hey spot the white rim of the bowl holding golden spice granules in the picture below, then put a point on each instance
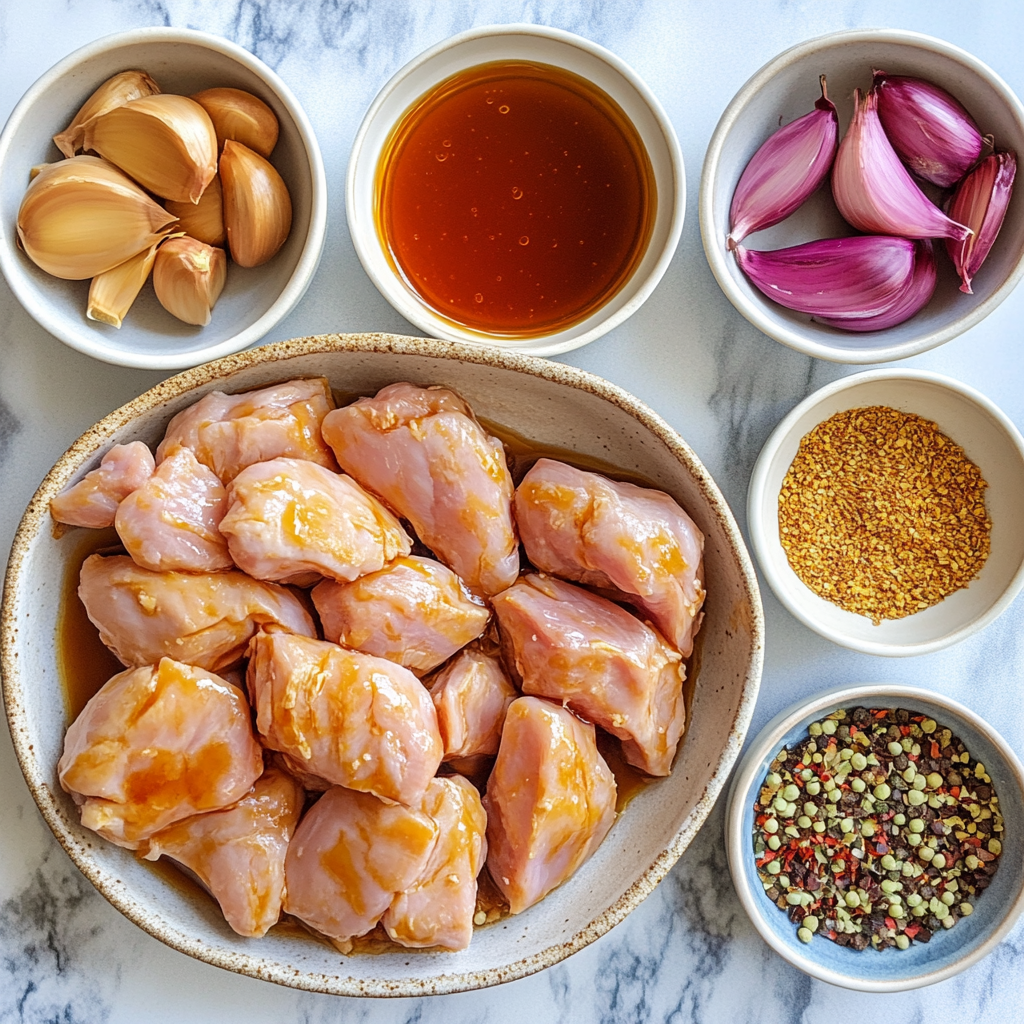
(758, 513)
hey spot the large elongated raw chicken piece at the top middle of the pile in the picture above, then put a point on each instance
(421, 450)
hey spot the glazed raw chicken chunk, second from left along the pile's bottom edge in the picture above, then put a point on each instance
(351, 857)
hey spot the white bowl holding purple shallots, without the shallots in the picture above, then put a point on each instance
(787, 89)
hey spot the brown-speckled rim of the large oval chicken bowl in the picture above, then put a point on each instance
(37, 520)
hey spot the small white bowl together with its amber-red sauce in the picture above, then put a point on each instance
(517, 186)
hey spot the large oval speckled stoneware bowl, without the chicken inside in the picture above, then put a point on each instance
(552, 406)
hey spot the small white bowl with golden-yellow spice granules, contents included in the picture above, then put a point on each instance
(884, 511)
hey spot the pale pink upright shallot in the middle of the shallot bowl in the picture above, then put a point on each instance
(875, 192)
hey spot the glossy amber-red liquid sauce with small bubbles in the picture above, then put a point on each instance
(516, 199)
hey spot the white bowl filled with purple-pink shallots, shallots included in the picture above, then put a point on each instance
(858, 197)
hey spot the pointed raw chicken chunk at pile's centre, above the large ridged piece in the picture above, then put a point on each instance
(414, 612)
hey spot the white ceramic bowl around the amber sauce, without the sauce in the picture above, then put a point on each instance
(519, 42)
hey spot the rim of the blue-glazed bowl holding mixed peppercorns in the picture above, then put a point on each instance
(738, 844)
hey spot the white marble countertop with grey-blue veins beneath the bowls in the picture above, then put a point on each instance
(689, 953)
